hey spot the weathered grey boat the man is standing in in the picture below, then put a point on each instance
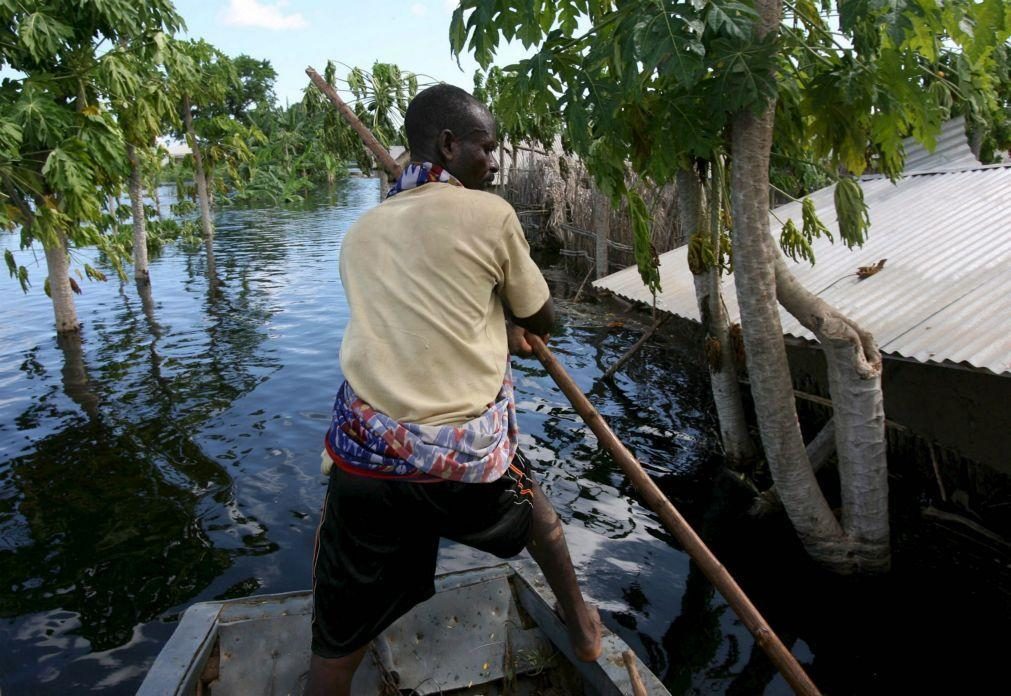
(490, 632)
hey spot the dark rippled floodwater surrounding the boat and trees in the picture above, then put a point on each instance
(170, 456)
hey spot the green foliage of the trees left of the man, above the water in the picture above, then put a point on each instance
(105, 78)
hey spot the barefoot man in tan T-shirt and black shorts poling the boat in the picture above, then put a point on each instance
(423, 441)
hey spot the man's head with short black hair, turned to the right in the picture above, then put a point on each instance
(453, 130)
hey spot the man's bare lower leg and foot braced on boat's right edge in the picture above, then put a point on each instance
(547, 546)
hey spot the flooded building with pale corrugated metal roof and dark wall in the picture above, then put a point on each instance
(940, 308)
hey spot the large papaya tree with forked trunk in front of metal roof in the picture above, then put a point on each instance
(658, 88)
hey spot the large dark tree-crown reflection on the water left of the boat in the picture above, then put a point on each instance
(107, 535)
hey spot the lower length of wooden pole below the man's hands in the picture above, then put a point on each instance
(677, 526)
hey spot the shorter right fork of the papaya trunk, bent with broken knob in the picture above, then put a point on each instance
(855, 373)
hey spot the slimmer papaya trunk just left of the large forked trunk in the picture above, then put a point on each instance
(738, 445)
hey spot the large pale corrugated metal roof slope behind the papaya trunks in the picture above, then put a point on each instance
(945, 294)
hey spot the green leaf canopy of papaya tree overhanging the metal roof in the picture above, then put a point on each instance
(652, 85)
